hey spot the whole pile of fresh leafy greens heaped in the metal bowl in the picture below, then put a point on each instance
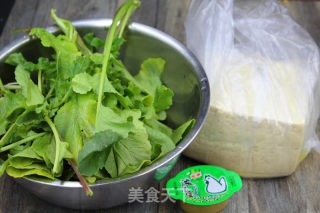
(85, 115)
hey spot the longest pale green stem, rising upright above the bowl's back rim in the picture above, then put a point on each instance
(108, 44)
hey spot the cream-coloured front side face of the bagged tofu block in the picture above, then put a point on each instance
(250, 148)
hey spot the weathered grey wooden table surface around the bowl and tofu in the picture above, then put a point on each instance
(299, 192)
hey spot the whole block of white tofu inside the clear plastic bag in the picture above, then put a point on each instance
(257, 120)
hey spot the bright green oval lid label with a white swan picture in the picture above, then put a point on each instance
(204, 185)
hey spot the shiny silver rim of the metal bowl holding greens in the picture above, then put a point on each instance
(172, 42)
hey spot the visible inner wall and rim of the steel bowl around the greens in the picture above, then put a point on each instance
(183, 73)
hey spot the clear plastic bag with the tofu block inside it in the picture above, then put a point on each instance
(263, 70)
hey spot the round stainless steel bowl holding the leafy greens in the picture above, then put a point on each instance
(183, 74)
